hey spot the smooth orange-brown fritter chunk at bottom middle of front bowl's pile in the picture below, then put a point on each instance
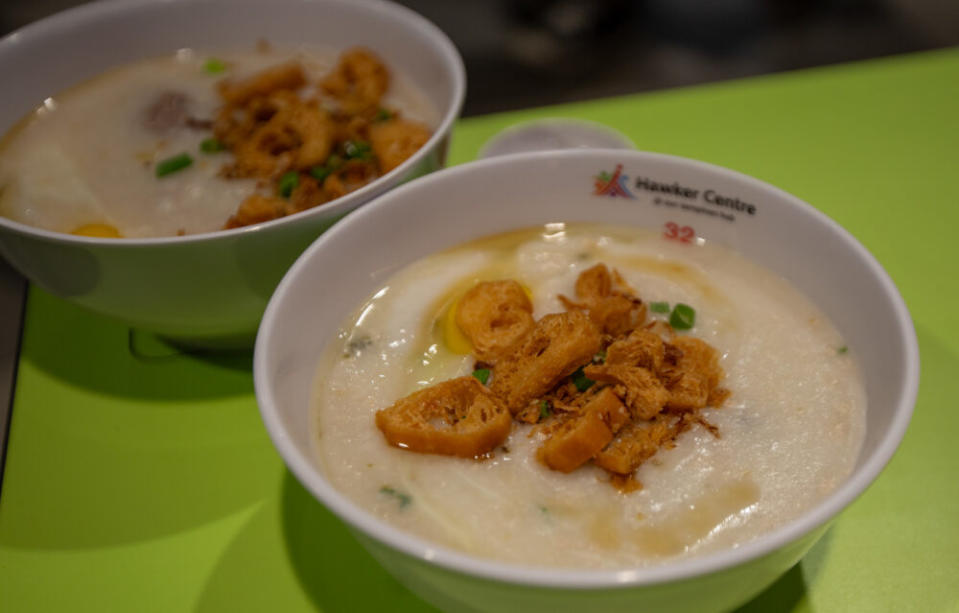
(582, 435)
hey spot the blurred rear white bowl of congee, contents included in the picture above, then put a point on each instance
(164, 163)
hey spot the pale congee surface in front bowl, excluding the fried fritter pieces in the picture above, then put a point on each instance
(787, 431)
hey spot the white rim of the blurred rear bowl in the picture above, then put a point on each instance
(85, 14)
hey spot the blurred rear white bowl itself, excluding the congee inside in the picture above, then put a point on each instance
(208, 288)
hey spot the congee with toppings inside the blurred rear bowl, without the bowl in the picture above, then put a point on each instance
(196, 142)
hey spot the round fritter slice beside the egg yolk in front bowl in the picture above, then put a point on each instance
(493, 315)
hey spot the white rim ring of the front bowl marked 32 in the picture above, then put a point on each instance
(582, 579)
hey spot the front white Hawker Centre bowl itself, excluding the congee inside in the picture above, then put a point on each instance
(786, 235)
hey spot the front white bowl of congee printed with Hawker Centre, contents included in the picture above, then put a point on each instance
(588, 380)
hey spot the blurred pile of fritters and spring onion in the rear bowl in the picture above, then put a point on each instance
(309, 143)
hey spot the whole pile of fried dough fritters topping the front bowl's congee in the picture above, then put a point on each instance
(601, 383)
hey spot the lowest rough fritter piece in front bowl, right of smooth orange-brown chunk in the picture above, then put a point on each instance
(638, 441)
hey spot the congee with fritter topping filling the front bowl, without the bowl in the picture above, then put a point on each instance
(587, 396)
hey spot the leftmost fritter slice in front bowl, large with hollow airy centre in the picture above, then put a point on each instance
(458, 417)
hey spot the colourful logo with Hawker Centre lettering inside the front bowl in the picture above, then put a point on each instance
(672, 194)
